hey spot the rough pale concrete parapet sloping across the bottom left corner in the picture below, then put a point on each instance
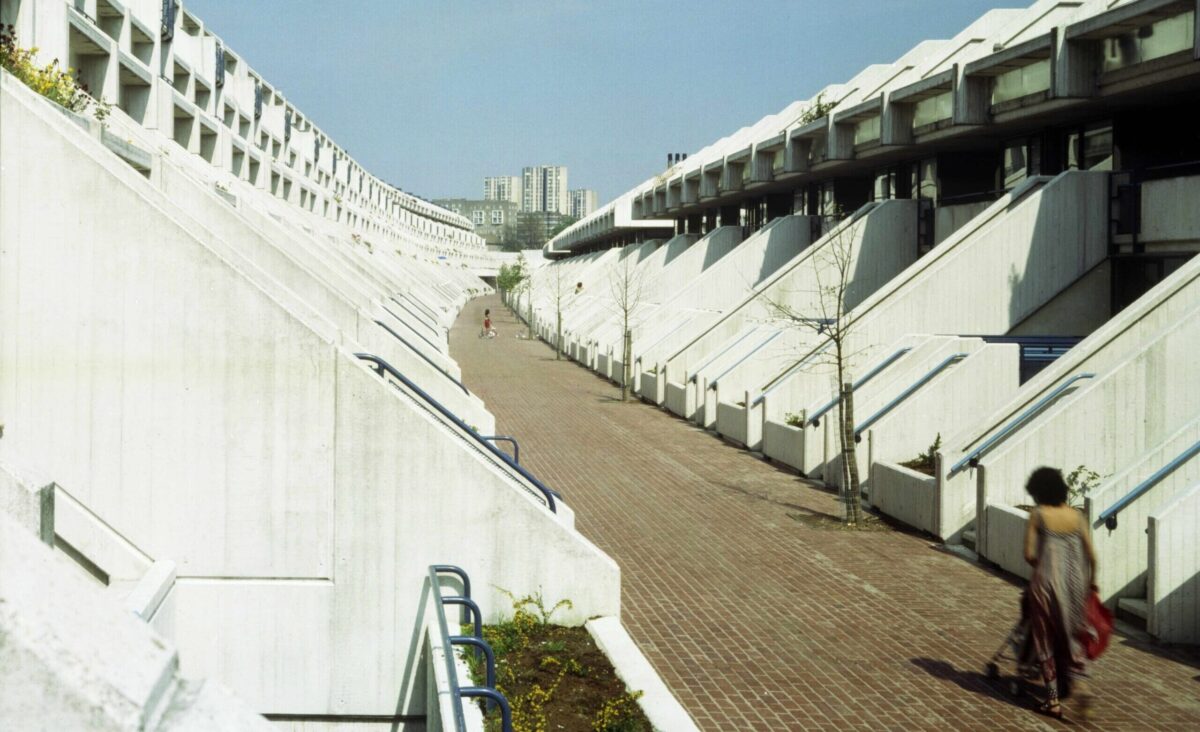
(74, 659)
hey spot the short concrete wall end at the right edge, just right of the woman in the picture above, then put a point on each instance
(1174, 597)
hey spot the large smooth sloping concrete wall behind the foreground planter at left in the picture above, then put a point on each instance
(195, 418)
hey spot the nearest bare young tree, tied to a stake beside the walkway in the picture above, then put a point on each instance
(827, 316)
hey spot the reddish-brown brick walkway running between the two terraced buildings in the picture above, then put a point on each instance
(758, 621)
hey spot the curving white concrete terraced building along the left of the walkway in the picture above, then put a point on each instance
(227, 406)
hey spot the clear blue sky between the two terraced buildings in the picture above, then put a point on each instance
(433, 95)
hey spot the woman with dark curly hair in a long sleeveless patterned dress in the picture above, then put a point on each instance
(1059, 545)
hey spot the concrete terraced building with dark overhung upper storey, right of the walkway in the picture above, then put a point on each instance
(1017, 209)
